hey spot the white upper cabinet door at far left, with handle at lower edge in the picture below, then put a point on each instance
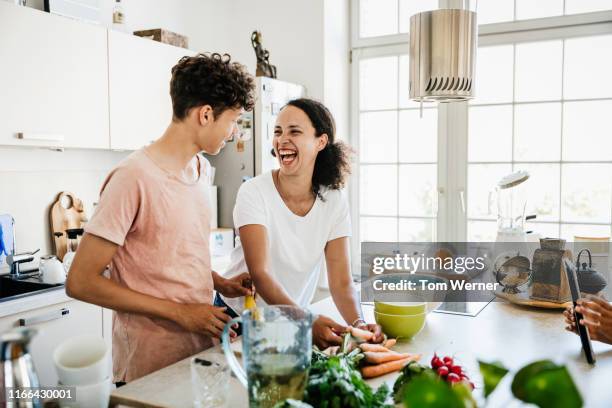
(53, 80)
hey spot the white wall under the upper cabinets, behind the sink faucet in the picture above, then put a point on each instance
(32, 179)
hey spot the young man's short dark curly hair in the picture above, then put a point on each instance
(210, 79)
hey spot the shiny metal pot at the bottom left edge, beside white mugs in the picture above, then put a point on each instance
(17, 365)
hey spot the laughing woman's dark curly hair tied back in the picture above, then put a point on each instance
(333, 163)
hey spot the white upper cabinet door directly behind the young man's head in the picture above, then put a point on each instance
(139, 75)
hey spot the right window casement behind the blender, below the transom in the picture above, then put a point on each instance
(543, 109)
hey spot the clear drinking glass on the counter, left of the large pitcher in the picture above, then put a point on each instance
(210, 376)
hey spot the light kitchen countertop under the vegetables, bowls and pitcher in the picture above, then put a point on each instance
(508, 333)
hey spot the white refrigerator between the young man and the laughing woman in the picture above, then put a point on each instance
(249, 154)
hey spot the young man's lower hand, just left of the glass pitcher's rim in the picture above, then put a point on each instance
(203, 318)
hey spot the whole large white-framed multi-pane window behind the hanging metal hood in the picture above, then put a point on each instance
(542, 105)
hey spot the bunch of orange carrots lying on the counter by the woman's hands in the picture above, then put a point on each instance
(378, 359)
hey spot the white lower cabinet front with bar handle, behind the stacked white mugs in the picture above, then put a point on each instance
(55, 324)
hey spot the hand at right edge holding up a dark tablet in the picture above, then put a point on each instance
(596, 317)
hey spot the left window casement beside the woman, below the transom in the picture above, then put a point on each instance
(397, 155)
